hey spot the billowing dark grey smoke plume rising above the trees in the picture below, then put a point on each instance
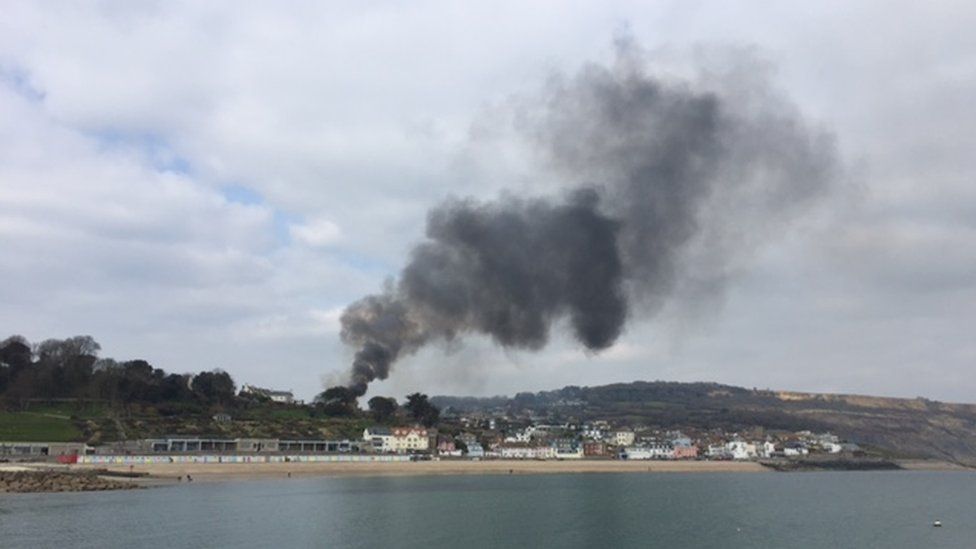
(660, 171)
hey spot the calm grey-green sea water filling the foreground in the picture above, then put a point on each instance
(872, 509)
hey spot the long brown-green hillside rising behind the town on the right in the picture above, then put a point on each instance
(917, 428)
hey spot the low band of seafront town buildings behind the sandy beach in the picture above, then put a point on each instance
(463, 438)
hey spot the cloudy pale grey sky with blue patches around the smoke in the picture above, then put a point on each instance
(209, 185)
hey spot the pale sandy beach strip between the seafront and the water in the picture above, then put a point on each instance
(238, 471)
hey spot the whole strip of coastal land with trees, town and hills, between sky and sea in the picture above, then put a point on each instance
(107, 411)
